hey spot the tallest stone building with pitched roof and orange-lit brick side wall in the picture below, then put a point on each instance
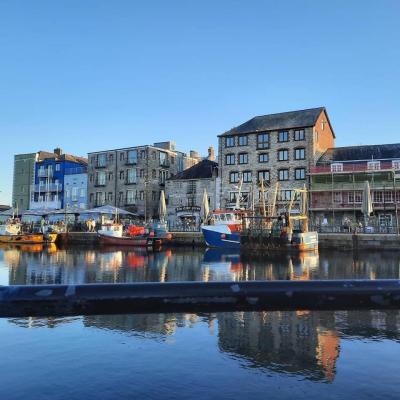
(275, 148)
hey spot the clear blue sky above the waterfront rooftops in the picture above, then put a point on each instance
(92, 75)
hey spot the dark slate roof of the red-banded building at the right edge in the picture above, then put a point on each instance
(360, 153)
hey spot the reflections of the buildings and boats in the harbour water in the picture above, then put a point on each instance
(301, 343)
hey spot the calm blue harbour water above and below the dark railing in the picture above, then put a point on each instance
(306, 355)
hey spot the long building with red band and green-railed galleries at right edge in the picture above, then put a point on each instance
(338, 182)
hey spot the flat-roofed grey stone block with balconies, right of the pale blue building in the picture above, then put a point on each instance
(133, 177)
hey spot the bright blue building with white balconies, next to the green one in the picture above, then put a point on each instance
(48, 191)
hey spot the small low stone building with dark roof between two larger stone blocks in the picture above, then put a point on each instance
(185, 191)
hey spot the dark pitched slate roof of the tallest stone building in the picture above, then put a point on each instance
(285, 120)
